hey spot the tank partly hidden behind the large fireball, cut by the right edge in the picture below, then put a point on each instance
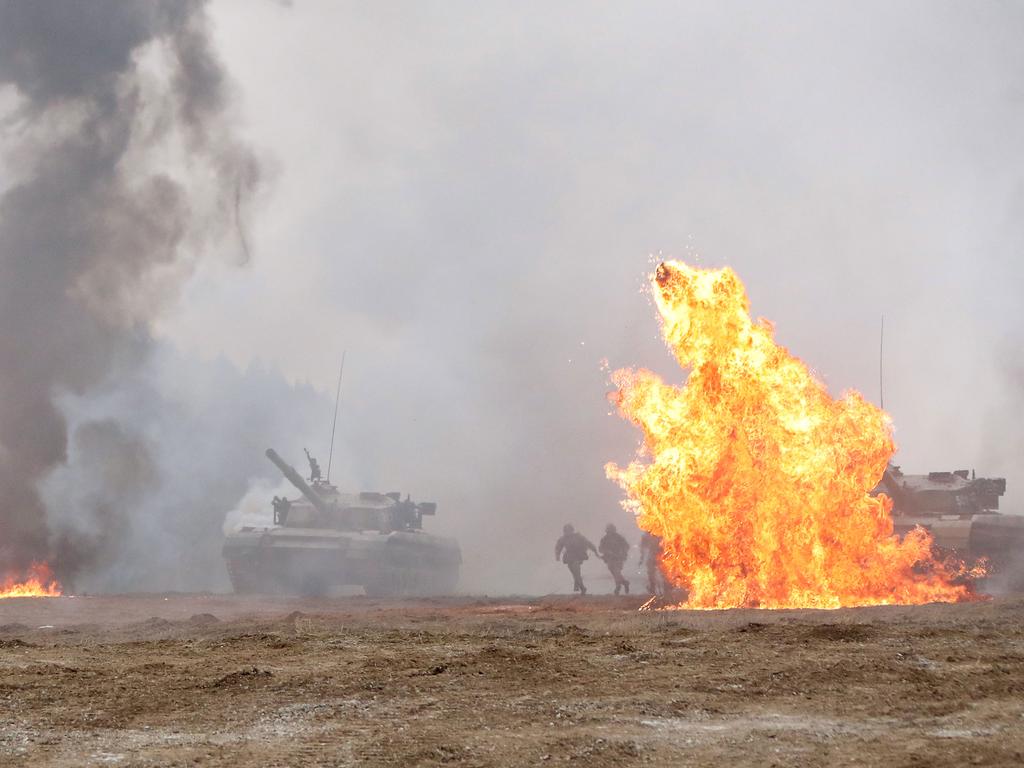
(962, 514)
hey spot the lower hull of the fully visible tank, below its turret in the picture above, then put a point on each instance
(316, 562)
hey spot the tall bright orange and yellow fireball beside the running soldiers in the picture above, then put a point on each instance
(758, 481)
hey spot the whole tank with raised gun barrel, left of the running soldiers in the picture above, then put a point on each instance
(325, 540)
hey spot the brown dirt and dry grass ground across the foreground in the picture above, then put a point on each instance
(227, 681)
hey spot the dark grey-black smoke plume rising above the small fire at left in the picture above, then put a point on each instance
(125, 174)
